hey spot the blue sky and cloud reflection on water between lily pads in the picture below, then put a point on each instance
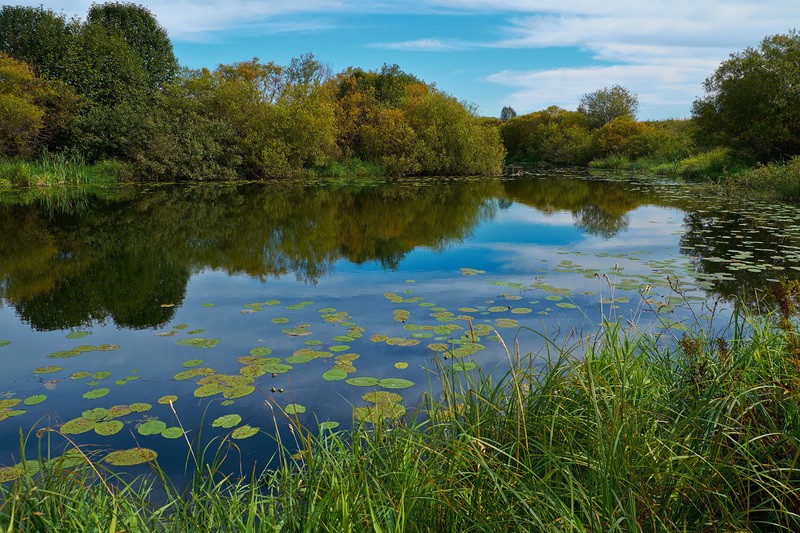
(520, 245)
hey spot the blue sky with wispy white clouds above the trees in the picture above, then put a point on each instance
(525, 53)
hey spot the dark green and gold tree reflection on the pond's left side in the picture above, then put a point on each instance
(122, 259)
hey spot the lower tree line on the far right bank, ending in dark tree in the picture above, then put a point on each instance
(749, 114)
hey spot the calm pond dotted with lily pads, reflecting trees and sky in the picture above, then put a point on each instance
(149, 315)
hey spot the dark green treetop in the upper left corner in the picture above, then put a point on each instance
(38, 36)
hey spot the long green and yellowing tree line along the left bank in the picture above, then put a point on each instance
(110, 88)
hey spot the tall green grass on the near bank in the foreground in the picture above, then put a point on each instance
(616, 433)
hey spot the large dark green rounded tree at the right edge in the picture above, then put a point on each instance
(752, 101)
